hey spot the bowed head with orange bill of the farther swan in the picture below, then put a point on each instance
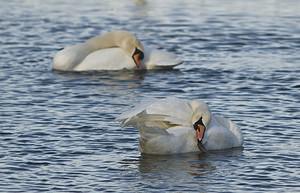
(135, 49)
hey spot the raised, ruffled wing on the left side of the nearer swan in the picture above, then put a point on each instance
(163, 114)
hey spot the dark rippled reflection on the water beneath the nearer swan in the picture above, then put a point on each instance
(193, 164)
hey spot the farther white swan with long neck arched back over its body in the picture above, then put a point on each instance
(115, 50)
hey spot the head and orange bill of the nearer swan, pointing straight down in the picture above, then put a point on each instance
(200, 120)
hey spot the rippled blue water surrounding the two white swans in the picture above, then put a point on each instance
(58, 132)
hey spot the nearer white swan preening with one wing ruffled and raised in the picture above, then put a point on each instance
(172, 125)
